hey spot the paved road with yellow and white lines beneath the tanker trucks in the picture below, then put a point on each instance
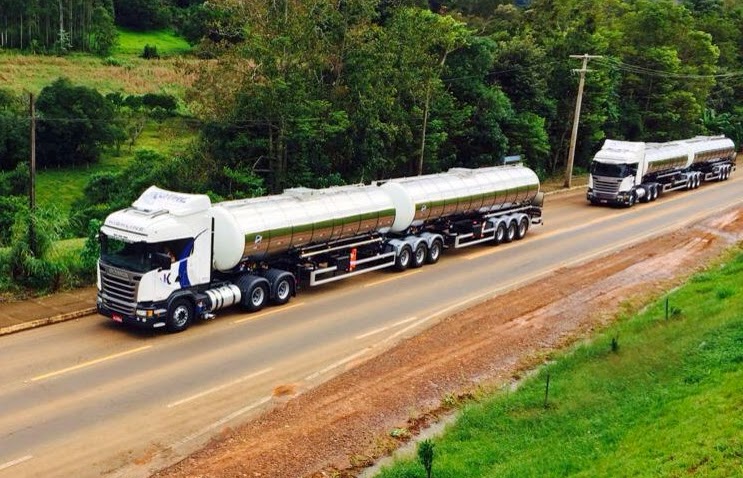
(88, 398)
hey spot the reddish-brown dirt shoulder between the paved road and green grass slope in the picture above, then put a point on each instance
(343, 425)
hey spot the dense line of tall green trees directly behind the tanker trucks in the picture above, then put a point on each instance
(311, 91)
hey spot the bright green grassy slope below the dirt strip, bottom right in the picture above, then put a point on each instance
(666, 401)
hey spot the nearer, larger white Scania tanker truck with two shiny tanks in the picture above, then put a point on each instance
(173, 257)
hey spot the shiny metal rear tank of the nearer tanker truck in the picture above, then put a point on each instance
(460, 191)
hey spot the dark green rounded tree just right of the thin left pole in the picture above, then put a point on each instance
(75, 123)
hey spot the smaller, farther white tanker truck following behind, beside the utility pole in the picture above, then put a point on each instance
(625, 172)
